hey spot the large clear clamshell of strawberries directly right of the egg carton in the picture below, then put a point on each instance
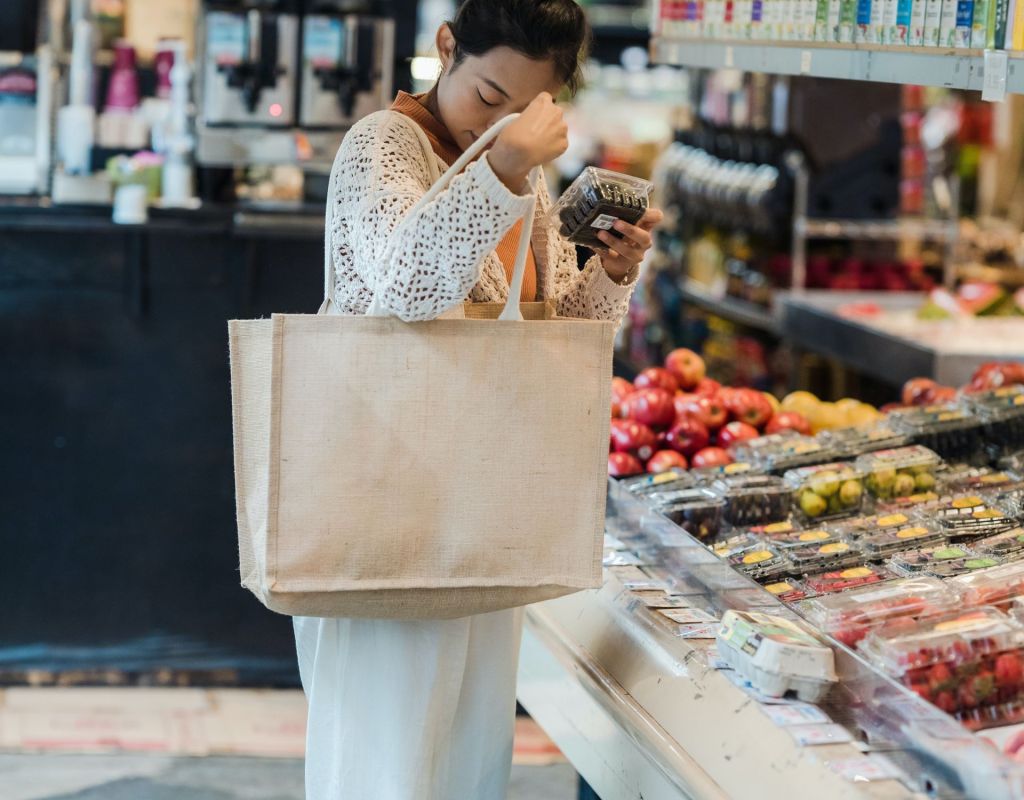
(970, 664)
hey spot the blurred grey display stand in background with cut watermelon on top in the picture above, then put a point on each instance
(833, 324)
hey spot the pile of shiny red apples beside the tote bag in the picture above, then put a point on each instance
(675, 416)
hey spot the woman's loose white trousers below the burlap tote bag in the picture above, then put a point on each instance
(409, 710)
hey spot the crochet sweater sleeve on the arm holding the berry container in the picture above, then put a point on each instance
(587, 293)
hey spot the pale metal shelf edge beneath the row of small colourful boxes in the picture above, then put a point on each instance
(921, 66)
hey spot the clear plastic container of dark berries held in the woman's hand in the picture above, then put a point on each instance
(595, 201)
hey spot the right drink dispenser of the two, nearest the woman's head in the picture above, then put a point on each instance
(347, 67)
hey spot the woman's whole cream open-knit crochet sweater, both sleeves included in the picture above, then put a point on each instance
(423, 265)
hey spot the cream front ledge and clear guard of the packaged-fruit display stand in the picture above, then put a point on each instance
(644, 711)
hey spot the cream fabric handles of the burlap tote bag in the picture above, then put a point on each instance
(511, 311)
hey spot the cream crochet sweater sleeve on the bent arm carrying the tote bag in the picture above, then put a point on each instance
(419, 264)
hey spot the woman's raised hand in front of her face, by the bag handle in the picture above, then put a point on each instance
(539, 136)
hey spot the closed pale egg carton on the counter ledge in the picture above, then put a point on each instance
(777, 656)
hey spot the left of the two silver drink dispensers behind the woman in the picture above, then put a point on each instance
(248, 71)
